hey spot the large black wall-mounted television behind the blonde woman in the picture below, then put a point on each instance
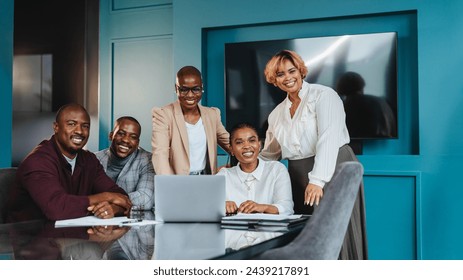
(362, 68)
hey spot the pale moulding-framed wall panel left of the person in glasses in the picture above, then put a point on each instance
(139, 81)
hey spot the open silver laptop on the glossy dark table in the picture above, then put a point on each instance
(189, 198)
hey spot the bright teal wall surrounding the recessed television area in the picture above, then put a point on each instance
(413, 193)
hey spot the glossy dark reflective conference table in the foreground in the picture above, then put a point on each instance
(168, 241)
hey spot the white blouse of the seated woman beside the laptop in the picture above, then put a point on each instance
(268, 184)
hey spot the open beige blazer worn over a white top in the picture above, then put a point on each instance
(170, 139)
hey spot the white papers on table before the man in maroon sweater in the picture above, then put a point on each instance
(94, 221)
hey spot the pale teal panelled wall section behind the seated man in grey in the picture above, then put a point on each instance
(135, 62)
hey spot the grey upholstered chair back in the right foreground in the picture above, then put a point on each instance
(323, 235)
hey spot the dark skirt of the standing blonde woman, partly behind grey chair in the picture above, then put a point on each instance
(355, 241)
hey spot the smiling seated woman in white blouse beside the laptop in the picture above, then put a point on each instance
(255, 186)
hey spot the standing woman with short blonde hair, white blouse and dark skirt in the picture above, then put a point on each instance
(309, 129)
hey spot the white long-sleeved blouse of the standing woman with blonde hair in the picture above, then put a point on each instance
(318, 128)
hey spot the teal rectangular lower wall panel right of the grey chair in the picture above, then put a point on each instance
(392, 220)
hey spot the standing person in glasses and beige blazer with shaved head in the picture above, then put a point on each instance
(186, 134)
